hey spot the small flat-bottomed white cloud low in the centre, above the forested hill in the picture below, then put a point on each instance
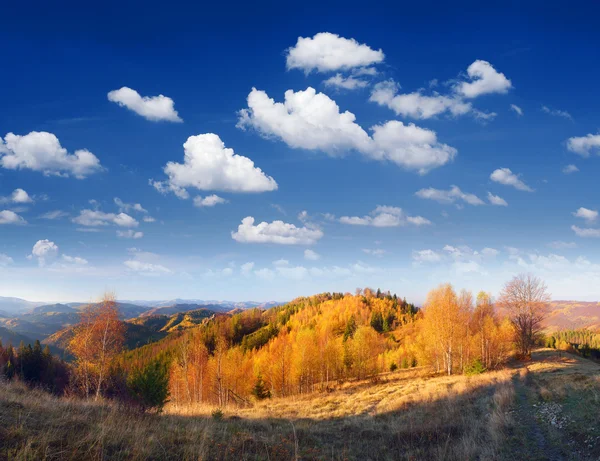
(275, 232)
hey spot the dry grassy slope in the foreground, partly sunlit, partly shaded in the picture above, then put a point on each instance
(530, 411)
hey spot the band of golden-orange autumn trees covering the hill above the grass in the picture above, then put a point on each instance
(308, 345)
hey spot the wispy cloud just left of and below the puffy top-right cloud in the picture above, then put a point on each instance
(416, 104)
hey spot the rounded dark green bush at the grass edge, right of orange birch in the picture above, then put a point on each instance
(149, 386)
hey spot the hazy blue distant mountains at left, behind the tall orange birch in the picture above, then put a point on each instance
(22, 320)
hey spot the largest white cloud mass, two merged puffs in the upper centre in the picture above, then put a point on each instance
(312, 121)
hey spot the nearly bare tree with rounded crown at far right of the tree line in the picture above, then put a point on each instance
(526, 299)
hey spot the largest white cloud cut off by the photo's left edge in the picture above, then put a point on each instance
(41, 151)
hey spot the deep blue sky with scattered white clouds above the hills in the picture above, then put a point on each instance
(342, 128)
